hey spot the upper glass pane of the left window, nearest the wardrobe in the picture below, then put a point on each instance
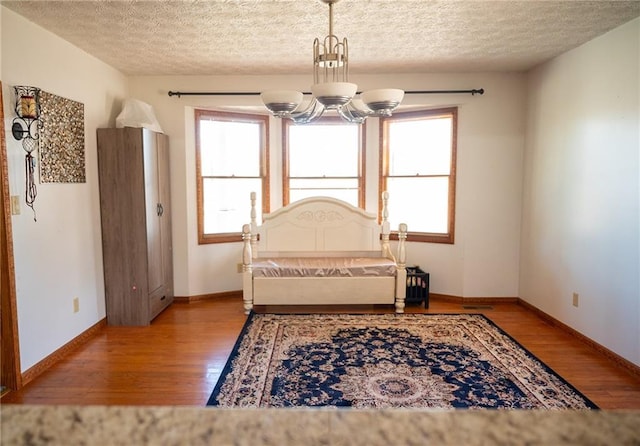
(230, 148)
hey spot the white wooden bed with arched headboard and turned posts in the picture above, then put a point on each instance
(322, 251)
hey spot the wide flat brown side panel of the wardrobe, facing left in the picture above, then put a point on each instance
(124, 247)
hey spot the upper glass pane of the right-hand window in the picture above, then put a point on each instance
(420, 147)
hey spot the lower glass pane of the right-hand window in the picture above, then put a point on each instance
(421, 203)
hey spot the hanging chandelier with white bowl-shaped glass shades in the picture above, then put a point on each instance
(331, 89)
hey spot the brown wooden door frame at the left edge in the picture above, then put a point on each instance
(11, 376)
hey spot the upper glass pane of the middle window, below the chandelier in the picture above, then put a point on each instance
(323, 150)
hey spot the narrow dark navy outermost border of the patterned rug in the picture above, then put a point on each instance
(211, 402)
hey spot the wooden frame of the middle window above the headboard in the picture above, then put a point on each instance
(331, 120)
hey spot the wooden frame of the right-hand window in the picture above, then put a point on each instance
(452, 112)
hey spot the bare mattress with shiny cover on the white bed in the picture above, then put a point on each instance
(324, 267)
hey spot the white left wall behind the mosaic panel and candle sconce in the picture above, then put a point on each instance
(59, 257)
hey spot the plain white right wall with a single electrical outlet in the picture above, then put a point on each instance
(581, 222)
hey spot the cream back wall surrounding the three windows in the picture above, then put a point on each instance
(484, 259)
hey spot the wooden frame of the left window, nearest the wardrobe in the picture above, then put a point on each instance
(263, 120)
